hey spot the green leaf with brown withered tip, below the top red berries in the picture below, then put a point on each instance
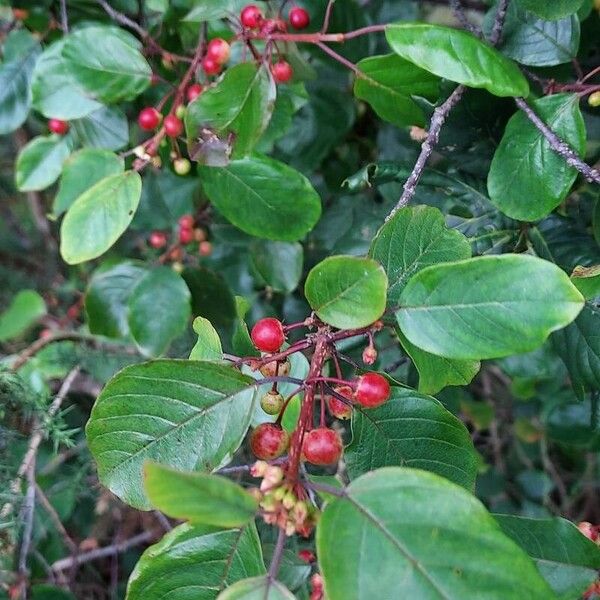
(241, 103)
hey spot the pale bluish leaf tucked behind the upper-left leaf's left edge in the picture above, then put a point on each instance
(55, 91)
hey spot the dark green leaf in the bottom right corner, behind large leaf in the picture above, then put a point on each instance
(565, 558)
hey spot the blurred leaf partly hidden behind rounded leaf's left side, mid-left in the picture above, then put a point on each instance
(107, 298)
